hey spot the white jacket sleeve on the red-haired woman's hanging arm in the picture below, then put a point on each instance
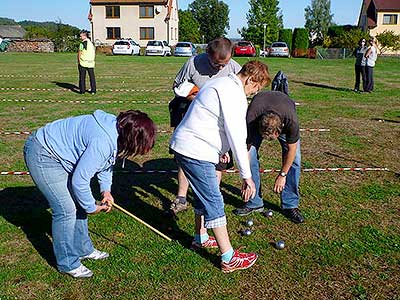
(234, 106)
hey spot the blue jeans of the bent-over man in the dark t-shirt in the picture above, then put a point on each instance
(290, 196)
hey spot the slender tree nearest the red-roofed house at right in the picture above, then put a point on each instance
(318, 20)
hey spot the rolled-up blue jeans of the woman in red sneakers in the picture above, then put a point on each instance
(203, 180)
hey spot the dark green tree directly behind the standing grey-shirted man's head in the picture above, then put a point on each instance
(213, 17)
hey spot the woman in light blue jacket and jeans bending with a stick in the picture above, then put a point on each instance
(62, 158)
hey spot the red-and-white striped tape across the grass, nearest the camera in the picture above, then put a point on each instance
(262, 171)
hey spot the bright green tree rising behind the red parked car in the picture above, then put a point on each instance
(262, 12)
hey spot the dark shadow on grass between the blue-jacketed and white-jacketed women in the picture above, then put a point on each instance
(130, 190)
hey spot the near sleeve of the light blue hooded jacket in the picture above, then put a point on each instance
(91, 161)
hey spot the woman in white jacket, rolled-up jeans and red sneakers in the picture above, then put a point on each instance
(215, 123)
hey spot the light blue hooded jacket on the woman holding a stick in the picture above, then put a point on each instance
(85, 146)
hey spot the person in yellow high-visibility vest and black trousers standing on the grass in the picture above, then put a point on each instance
(86, 57)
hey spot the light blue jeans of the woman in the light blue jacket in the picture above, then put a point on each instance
(69, 221)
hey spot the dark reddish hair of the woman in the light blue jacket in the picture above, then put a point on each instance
(136, 133)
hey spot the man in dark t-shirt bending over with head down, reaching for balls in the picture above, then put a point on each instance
(271, 116)
